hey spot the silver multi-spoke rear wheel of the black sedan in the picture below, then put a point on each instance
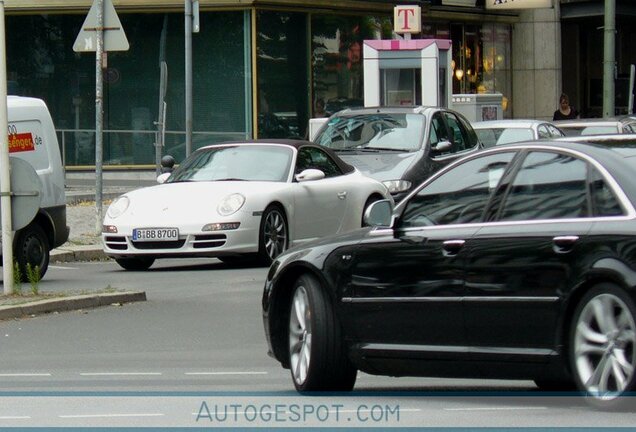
(602, 345)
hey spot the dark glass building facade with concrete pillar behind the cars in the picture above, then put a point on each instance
(261, 69)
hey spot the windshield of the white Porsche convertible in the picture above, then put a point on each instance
(236, 163)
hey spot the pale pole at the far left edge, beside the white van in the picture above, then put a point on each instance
(5, 176)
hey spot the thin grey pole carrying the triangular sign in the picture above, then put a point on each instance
(99, 114)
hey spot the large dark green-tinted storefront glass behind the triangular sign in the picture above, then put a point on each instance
(41, 63)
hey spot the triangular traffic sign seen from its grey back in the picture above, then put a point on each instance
(114, 36)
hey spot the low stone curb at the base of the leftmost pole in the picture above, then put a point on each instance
(70, 303)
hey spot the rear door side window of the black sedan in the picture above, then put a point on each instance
(548, 186)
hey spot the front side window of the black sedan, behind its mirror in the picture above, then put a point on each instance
(458, 196)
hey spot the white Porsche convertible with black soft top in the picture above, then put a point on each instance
(239, 200)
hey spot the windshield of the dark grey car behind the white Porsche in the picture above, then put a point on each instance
(382, 131)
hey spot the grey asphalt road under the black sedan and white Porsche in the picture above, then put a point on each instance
(195, 349)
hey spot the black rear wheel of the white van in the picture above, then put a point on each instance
(32, 247)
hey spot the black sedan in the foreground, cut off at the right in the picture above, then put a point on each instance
(518, 262)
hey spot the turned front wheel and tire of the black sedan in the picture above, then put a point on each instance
(317, 355)
